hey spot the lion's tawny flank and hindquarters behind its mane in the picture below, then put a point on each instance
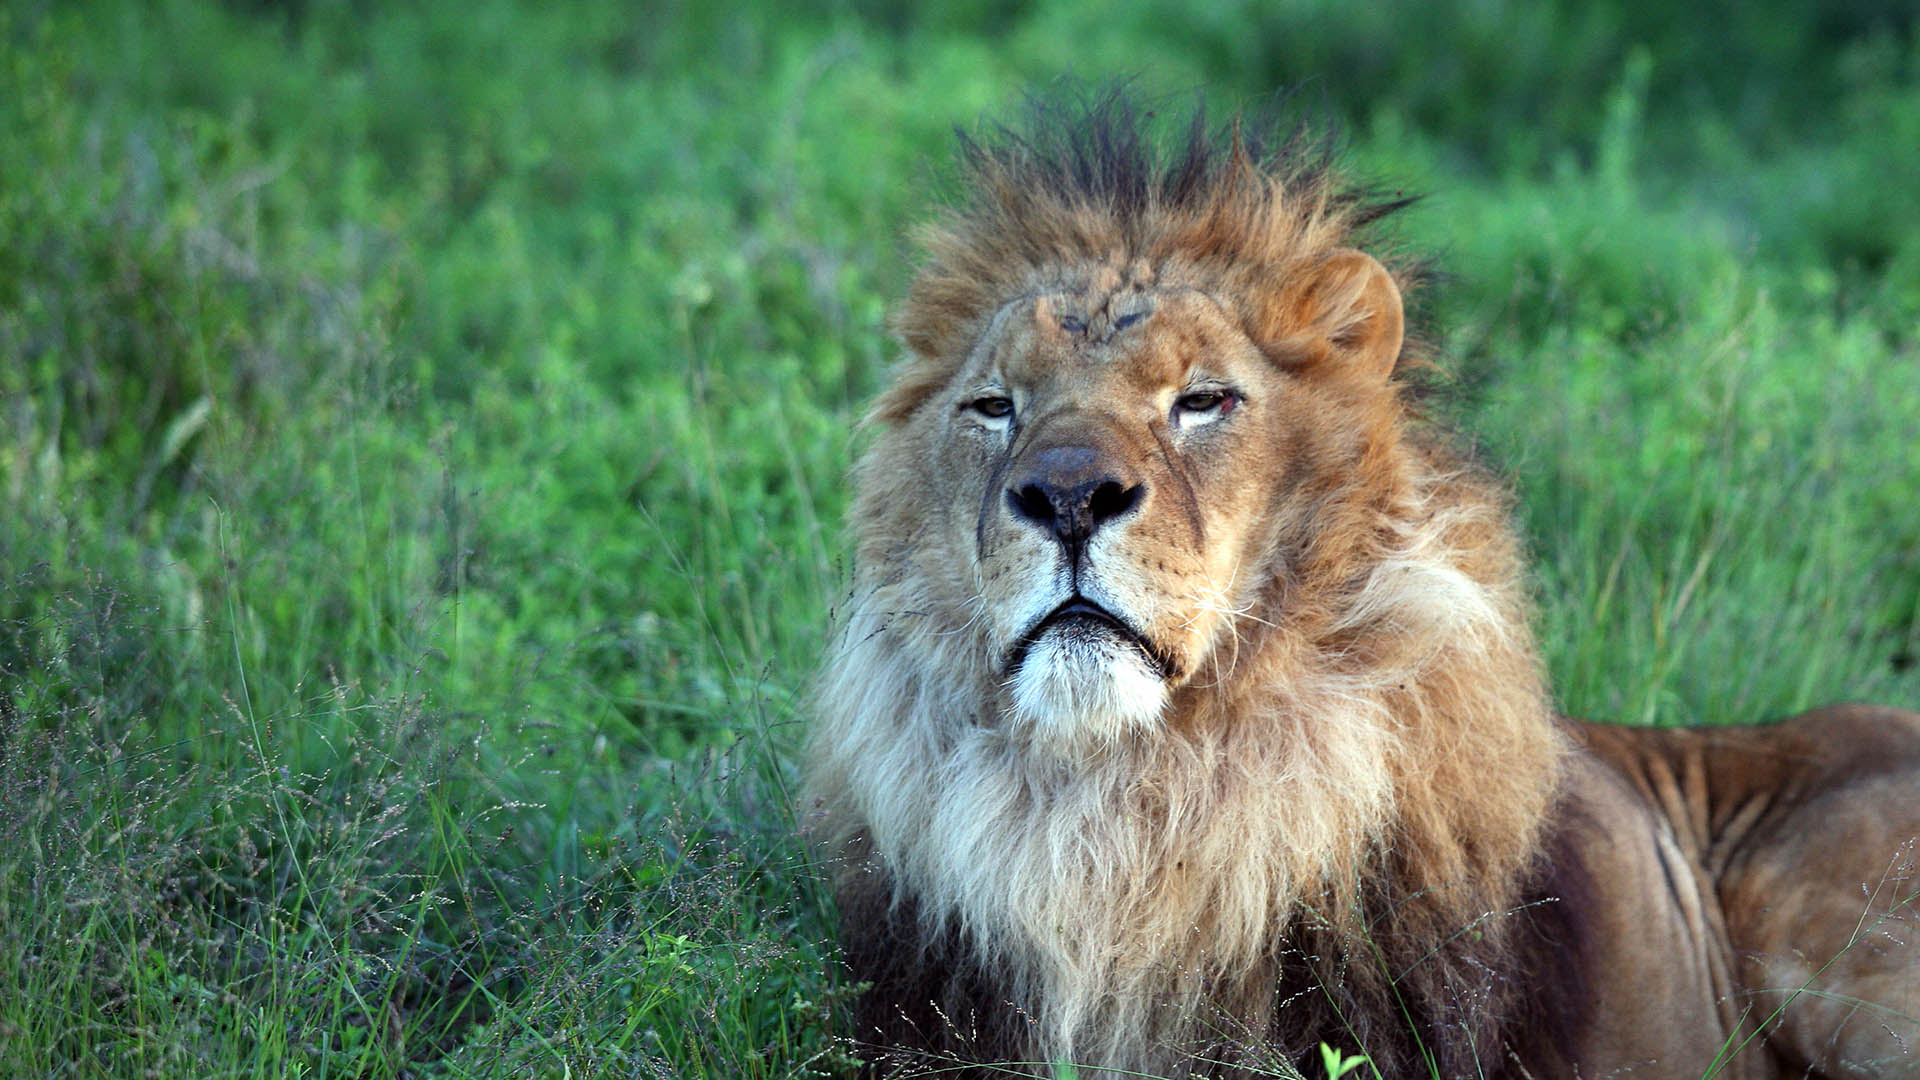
(1752, 877)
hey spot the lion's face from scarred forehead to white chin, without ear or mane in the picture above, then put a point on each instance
(1118, 458)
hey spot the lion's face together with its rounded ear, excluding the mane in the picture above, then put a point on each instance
(1109, 453)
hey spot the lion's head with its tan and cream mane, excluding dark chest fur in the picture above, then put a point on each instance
(1170, 631)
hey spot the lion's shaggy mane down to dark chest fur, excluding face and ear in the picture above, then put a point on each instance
(1328, 835)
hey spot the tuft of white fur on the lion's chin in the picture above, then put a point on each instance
(1080, 689)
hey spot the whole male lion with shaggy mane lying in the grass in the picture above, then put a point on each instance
(1188, 716)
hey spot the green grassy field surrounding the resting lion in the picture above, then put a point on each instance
(423, 439)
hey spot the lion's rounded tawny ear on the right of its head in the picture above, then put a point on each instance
(1347, 312)
